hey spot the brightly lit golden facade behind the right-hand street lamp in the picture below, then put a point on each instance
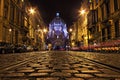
(80, 32)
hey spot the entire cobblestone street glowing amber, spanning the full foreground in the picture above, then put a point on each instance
(59, 65)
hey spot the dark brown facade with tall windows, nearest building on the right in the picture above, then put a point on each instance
(104, 21)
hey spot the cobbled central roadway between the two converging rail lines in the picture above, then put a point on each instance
(67, 67)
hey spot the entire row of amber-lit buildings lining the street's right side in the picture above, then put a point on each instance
(99, 27)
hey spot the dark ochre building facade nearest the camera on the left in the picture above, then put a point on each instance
(14, 22)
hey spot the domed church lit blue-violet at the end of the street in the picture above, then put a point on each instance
(58, 34)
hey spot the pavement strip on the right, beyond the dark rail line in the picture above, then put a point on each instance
(112, 59)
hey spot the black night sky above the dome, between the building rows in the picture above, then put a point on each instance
(68, 9)
